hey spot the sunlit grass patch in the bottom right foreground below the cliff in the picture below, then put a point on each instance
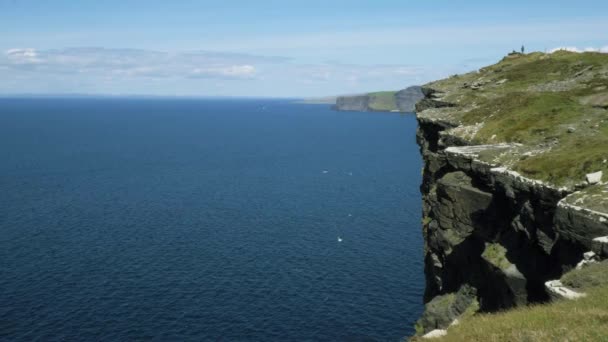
(585, 319)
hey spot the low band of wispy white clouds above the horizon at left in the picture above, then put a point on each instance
(136, 63)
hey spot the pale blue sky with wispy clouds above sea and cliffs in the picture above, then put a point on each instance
(273, 48)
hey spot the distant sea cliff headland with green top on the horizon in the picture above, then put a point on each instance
(386, 101)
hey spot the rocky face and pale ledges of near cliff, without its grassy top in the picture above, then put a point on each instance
(493, 237)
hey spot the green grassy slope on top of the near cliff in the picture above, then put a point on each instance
(554, 105)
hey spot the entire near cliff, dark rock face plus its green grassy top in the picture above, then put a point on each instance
(513, 196)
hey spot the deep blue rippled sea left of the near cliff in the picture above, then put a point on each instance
(207, 220)
